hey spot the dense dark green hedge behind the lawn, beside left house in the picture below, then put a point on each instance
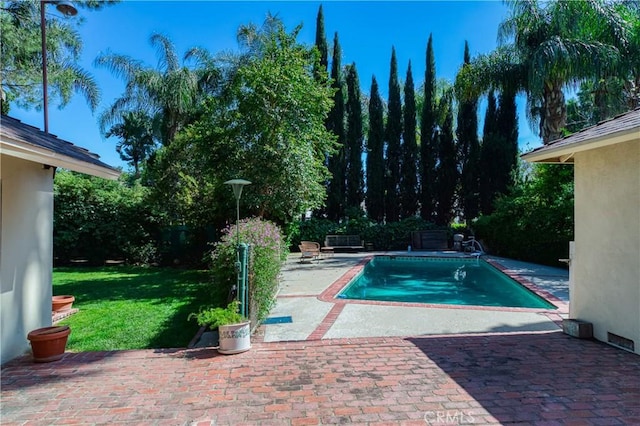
(99, 219)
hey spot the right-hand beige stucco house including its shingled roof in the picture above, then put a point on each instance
(605, 257)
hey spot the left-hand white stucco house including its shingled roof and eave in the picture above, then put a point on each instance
(28, 160)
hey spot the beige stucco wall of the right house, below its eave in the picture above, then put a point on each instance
(606, 266)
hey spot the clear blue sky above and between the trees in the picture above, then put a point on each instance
(367, 31)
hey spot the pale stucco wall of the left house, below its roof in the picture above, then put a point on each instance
(26, 197)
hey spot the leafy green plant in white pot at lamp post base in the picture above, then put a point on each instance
(234, 330)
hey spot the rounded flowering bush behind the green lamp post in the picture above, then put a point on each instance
(265, 261)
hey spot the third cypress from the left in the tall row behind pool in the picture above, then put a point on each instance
(354, 142)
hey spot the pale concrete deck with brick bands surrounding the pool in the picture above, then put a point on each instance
(307, 290)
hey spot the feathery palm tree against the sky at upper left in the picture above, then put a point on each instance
(169, 94)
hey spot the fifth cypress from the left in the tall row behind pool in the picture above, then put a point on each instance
(393, 135)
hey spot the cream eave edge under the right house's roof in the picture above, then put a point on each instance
(565, 154)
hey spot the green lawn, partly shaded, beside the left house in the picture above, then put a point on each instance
(124, 307)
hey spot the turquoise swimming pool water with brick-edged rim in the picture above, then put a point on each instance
(448, 281)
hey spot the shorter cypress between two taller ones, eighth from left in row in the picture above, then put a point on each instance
(447, 167)
